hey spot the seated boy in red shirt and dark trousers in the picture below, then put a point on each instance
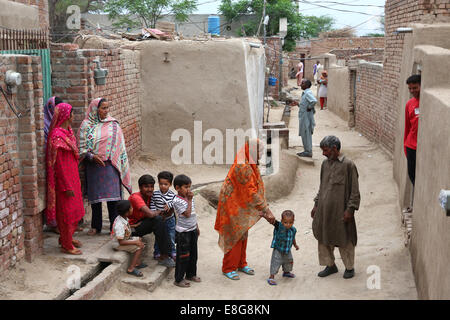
(145, 220)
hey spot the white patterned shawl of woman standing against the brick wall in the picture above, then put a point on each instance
(105, 139)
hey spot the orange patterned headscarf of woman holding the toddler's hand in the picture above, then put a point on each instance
(241, 197)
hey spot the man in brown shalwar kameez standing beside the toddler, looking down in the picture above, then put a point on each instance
(333, 213)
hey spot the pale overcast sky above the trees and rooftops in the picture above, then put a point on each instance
(365, 13)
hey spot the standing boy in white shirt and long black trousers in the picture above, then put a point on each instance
(187, 232)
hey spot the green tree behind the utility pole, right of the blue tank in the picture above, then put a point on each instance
(299, 26)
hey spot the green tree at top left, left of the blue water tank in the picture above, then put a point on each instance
(137, 13)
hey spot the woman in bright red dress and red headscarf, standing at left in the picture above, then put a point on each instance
(64, 197)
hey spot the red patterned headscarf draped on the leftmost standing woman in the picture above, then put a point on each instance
(58, 138)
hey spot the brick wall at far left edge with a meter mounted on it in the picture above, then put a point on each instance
(20, 221)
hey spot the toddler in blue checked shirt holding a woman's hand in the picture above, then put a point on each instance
(283, 239)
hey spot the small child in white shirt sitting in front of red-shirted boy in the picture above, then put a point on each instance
(122, 231)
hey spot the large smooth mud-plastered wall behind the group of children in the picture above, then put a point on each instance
(220, 83)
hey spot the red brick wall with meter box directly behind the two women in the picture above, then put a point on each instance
(73, 81)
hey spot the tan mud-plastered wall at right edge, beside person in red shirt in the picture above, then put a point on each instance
(430, 238)
